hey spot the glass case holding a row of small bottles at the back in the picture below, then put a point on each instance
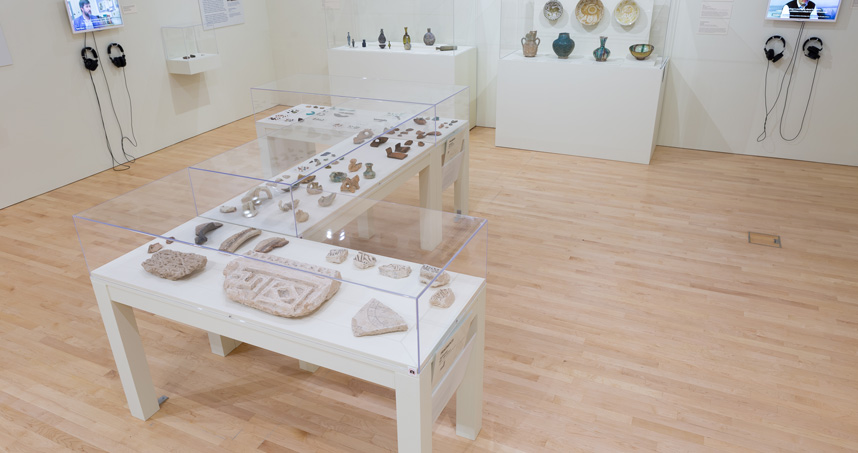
(432, 26)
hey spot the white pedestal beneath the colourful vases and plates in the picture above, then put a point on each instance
(580, 107)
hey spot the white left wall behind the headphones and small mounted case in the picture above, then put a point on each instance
(50, 131)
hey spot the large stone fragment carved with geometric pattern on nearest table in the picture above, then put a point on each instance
(292, 292)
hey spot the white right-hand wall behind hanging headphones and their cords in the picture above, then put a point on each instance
(714, 98)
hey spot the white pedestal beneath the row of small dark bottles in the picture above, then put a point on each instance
(420, 64)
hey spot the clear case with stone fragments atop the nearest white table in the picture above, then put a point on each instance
(368, 286)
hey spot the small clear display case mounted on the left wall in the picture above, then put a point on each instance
(190, 49)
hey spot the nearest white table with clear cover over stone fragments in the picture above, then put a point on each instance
(375, 304)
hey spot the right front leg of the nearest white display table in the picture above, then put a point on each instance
(414, 412)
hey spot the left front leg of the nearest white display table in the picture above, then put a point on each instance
(121, 327)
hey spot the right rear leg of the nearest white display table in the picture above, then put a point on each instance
(469, 396)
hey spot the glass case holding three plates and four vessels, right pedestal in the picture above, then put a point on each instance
(636, 31)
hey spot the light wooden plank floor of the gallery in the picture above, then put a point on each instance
(627, 312)
